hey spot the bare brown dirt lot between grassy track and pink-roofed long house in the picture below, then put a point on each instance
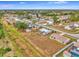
(48, 46)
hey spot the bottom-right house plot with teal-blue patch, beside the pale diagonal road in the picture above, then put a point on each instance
(73, 50)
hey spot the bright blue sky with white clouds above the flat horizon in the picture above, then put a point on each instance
(39, 5)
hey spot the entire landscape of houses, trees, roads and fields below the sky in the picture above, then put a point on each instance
(38, 33)
